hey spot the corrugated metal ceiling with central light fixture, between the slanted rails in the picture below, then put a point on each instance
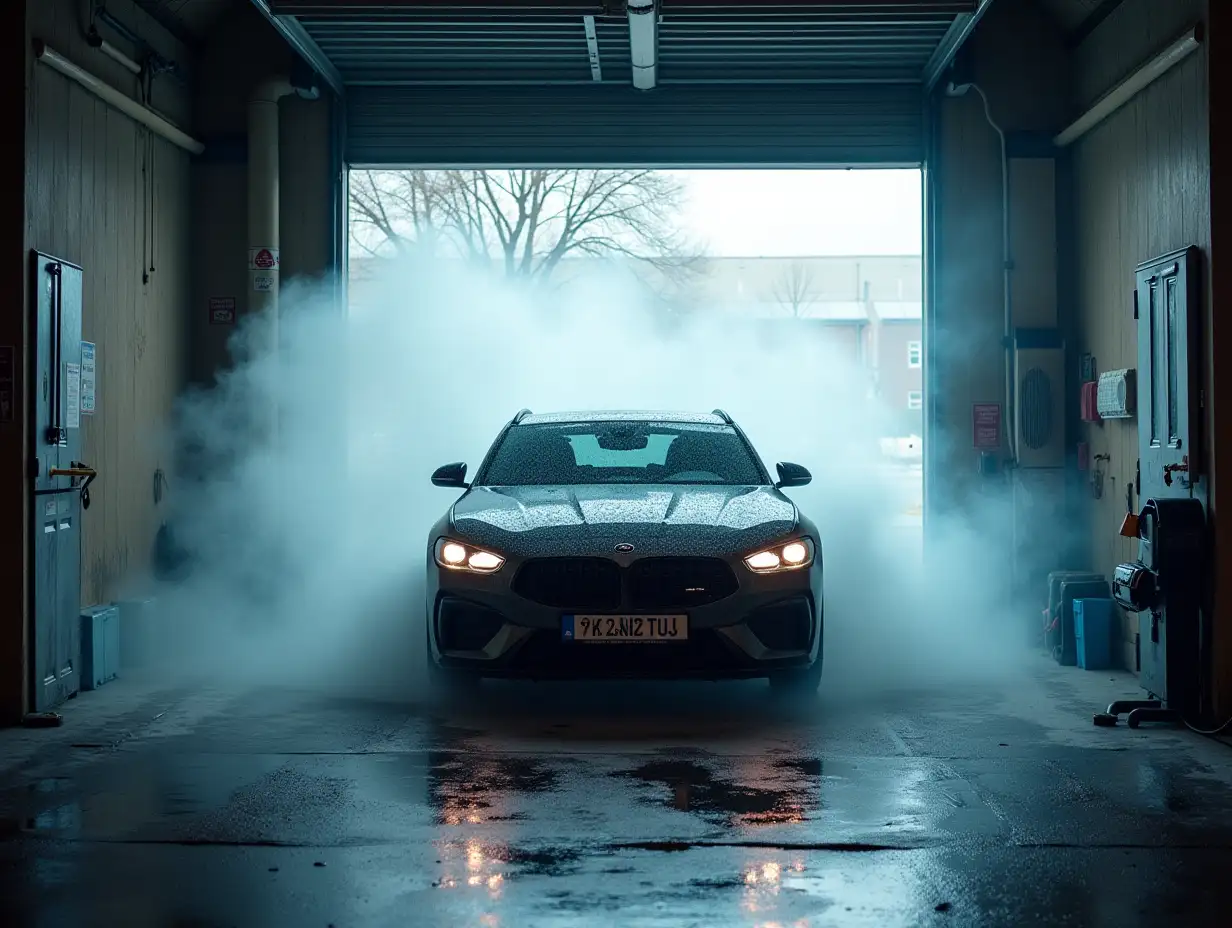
(449, 44)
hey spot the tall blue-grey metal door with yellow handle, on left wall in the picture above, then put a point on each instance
(61, 482)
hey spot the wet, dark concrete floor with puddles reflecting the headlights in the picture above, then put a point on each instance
(613, 807)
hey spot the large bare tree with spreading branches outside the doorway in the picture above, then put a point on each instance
(524, 222)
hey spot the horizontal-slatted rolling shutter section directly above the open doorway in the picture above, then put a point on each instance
(617, 126)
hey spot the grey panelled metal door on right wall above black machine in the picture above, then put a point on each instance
(1169, 340)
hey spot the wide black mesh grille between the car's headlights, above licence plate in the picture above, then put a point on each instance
(652, 584)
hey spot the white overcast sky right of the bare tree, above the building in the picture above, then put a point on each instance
(829, 213)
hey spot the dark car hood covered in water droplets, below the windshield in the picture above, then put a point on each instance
(529, 522)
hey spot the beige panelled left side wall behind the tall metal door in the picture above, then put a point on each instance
(107, 194)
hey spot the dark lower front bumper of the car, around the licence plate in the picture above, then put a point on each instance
(477, 625)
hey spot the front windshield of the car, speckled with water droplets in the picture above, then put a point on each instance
(623, 453)
